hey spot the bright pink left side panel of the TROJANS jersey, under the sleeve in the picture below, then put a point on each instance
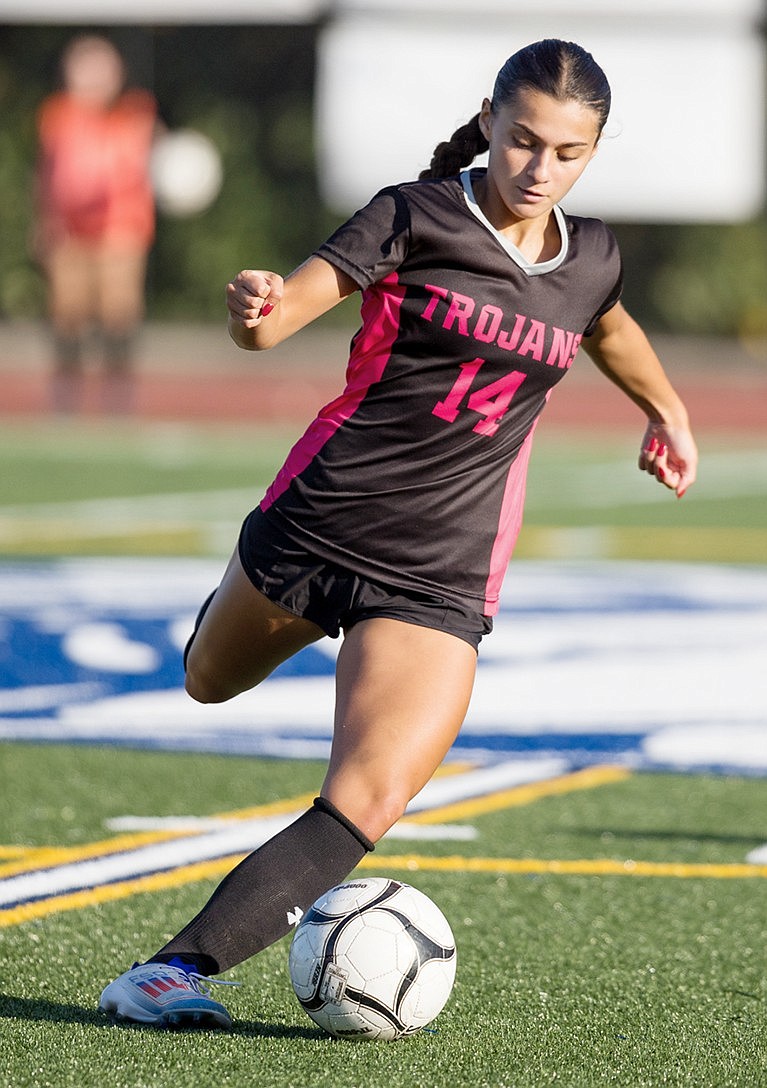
(372, 352)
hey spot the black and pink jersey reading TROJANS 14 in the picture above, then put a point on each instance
(415, 476)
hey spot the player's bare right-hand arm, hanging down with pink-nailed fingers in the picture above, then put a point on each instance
(623, 352)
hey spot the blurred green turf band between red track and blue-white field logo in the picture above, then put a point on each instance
(89, 488)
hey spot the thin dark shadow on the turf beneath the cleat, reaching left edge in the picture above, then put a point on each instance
(54, 1012)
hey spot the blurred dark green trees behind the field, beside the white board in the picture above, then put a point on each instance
(250, 89)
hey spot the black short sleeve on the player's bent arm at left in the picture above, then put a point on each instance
(374, 242)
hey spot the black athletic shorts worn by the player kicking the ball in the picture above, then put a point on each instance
(337, 599)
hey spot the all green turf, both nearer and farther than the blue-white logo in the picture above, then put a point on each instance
(609, 935)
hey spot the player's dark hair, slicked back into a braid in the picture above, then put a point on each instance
(563, 70)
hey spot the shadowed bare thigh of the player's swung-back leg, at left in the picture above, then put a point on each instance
(242, 638)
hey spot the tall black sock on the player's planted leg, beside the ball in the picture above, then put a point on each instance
(257, 904)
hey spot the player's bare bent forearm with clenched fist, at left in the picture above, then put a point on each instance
(265, 310)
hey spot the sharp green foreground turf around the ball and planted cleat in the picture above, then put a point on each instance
(565, 976)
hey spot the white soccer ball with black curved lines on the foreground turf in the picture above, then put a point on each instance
(373, 959)
